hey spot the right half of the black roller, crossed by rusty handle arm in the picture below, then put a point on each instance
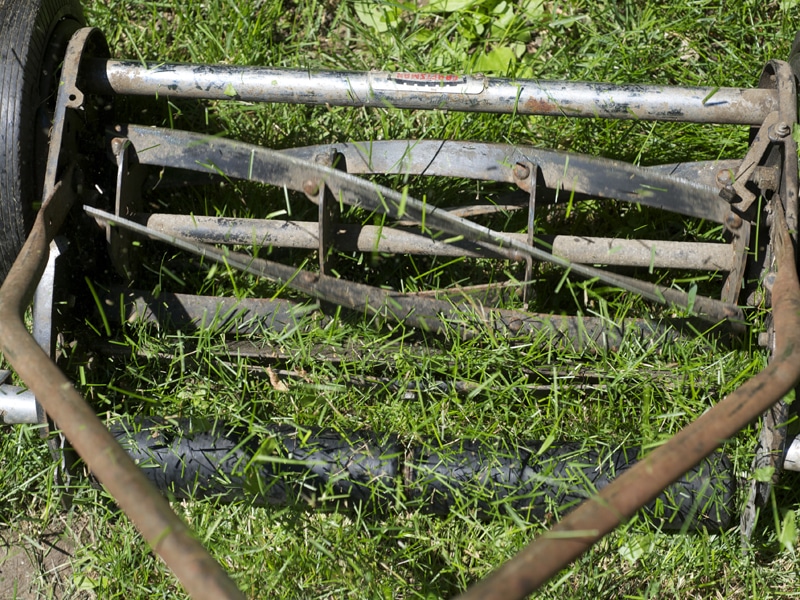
(543, 485)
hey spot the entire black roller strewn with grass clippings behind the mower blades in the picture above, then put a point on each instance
(320, 466)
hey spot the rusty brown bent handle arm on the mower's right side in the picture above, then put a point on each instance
(599, 515)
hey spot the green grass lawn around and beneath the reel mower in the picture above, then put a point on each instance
(521, 389)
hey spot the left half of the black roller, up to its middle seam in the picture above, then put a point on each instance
(194, 460)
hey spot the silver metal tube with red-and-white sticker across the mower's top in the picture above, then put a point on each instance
(471, 93)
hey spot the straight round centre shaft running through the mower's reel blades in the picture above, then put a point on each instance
(371, 238)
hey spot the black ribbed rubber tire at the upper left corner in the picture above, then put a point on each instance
(33, 38)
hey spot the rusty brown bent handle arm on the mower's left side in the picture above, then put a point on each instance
(166, 534)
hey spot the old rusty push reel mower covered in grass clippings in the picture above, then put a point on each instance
(73, 208)
